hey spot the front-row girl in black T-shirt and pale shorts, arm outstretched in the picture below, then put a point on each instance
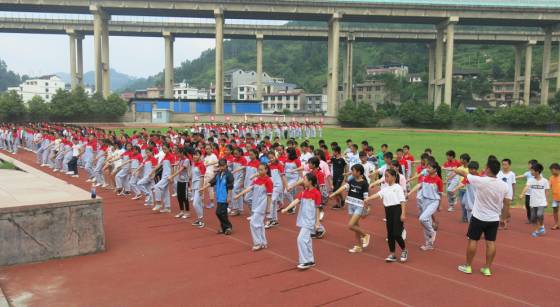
(357, 188)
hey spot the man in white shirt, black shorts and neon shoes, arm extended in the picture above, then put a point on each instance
(492, 198)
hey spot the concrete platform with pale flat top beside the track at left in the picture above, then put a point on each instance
(42, 217)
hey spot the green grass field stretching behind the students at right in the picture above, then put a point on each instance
(518, 148)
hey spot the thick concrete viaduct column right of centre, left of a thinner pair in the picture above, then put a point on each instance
(332, 92)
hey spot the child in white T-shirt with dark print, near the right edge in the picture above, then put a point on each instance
(539, 187)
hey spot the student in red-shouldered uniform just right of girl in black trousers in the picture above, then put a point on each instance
(431, 189)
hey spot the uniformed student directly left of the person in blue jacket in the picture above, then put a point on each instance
(198, 178)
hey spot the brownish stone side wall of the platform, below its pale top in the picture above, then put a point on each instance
(42, 232)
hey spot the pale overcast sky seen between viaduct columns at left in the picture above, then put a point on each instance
(34, 54)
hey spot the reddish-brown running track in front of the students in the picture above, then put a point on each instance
(157, 260)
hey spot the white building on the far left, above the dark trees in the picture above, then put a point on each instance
(44, 87)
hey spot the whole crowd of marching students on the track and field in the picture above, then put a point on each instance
(259, 170)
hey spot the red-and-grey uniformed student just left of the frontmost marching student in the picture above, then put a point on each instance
(261, 192)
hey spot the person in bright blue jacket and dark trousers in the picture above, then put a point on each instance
(223, 183)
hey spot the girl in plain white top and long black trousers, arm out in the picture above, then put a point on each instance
(394, 202)
